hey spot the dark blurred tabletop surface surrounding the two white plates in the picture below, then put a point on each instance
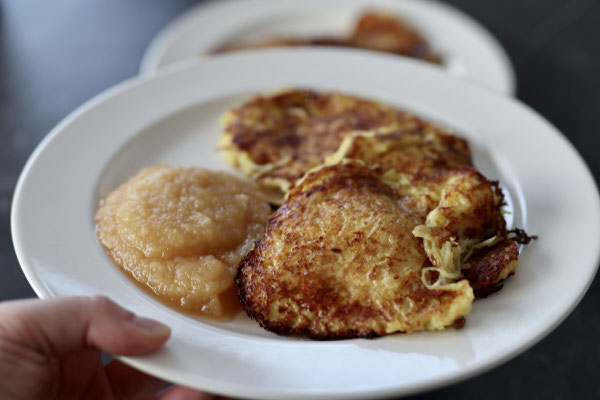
(56, 54)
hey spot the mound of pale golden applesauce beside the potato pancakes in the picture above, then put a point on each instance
(182, 232)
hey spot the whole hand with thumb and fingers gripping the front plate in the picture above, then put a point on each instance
(51, 349)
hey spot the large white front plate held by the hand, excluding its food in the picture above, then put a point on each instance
(172, 118)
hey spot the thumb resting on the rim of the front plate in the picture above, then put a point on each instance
(60, 326)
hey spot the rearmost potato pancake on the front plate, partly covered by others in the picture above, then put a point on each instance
(277, 138)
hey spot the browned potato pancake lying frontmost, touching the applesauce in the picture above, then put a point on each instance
(339, 260)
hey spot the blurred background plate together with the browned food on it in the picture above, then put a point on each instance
(427, 29)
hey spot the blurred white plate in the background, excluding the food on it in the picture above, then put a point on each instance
(469, 51)
